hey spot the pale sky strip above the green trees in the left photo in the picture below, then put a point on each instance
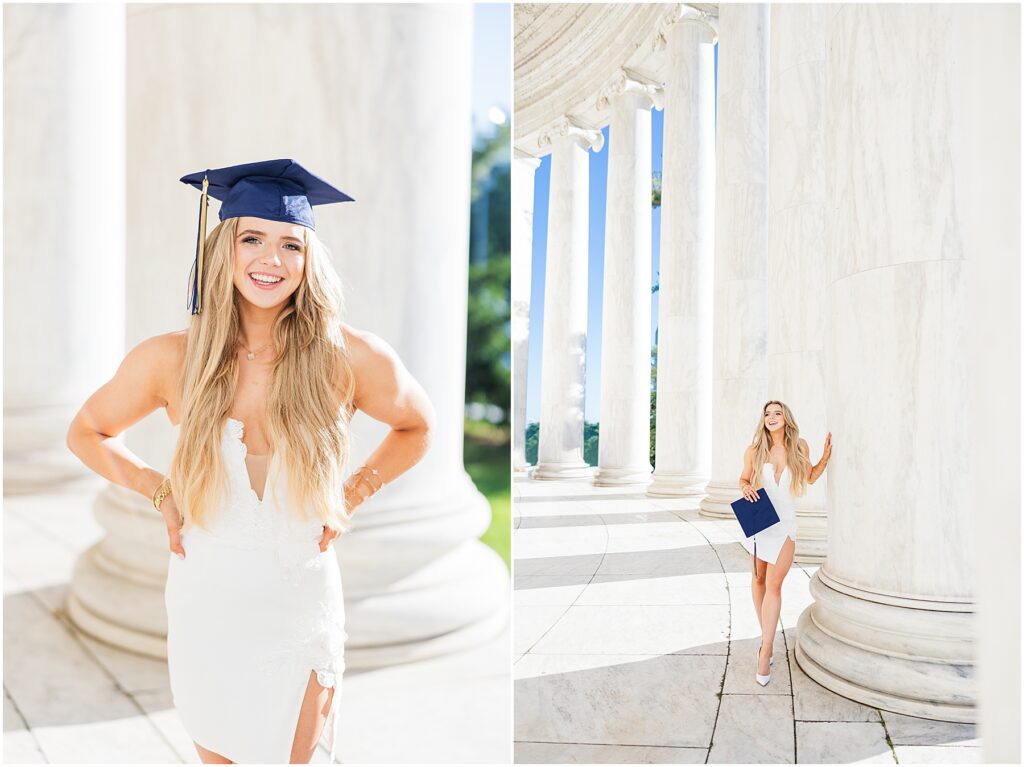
(492, 63)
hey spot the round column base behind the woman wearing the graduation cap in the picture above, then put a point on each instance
(418, 582)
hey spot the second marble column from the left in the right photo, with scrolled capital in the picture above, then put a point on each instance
(564, 359)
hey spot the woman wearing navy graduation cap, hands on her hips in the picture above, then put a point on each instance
(264, 383)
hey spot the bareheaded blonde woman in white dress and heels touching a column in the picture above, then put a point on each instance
(778, 461)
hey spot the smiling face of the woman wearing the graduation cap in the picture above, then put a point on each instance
(270, 261)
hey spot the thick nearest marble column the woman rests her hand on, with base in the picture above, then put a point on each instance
(892, 623)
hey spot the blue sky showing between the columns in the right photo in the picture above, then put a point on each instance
(599, 183)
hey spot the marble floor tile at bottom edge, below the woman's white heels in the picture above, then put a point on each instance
(754, 730)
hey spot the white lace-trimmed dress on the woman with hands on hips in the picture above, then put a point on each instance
(252, 610)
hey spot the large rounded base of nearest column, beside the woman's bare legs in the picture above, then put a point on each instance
(882, 652)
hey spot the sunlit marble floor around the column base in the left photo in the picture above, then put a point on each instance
(72, 700)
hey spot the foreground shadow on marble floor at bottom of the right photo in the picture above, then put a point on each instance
(702, 704)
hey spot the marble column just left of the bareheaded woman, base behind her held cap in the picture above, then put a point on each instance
(741, 247)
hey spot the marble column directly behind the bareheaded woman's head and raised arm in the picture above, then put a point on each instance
(797, 285)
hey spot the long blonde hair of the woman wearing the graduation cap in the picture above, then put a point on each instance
(310, 392)
